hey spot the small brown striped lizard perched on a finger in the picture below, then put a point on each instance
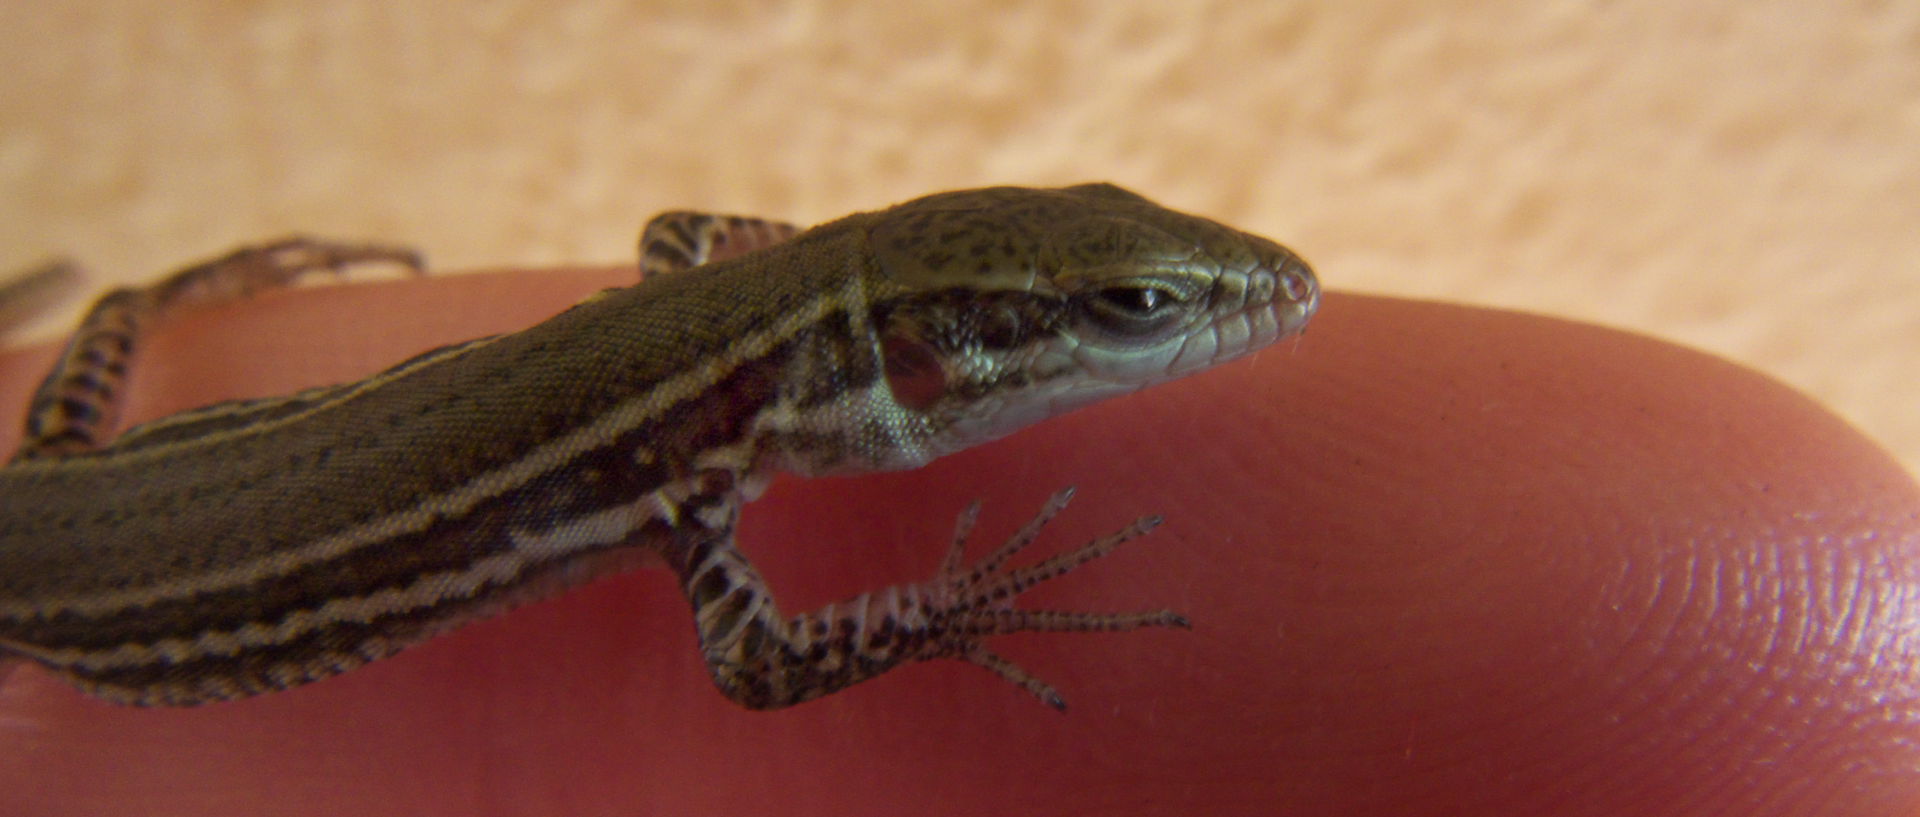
(256, 546)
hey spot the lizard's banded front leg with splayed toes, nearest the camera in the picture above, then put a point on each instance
(763, 661)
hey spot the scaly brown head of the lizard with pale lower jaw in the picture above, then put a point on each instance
(1007, 306)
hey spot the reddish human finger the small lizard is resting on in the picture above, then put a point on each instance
(1439, 561)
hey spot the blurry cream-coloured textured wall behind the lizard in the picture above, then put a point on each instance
(1733, 175)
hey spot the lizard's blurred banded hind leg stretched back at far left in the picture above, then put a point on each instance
(78, 404)
